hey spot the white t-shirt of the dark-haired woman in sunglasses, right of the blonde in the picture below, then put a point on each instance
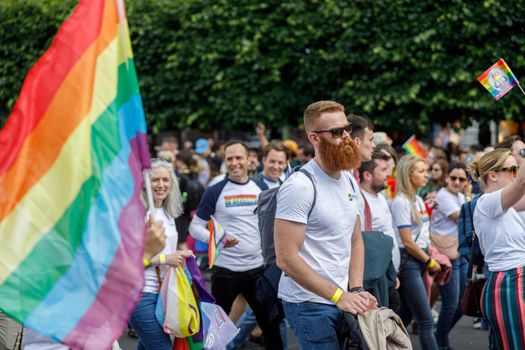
(447, 204)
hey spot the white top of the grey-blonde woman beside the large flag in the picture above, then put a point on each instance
(151, 280)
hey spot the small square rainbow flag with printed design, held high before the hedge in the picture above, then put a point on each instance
(498, 79)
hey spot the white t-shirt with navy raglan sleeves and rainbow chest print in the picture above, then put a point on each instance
(233, 204)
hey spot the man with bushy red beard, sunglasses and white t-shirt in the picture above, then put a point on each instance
(318, 236)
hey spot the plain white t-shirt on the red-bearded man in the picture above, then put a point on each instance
(329, 228)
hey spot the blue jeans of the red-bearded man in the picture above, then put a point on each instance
(315, 325)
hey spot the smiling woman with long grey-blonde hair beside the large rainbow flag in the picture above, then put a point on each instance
(168, 205)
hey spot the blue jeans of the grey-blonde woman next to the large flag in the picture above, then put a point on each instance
(150, 332)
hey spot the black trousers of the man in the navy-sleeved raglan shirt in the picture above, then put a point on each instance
(227, 284)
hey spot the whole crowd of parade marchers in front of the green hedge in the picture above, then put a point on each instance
(338, 194)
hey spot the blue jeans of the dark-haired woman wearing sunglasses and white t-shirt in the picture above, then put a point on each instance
(450, 293)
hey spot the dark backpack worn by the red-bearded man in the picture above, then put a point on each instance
(266, 208)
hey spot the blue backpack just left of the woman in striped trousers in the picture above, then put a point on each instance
(466, 232)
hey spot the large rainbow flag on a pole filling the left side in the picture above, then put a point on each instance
(71, 160)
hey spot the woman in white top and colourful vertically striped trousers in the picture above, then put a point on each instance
(501, 233)
